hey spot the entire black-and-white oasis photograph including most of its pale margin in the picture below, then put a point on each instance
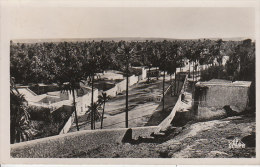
(162, 82)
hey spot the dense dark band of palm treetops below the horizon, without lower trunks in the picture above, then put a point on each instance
(43, 62)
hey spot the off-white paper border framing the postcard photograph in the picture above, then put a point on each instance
(4, 76)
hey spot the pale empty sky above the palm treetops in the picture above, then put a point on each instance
(103, 22)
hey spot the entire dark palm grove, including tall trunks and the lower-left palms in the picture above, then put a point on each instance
(68, 64)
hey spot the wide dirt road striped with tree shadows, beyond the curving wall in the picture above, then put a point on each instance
(142, 105)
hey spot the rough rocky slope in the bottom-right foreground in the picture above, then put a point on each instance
(208, 139)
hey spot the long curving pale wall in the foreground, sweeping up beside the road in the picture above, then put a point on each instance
(56, 146)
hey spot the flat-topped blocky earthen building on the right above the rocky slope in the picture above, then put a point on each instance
(211, 97)
